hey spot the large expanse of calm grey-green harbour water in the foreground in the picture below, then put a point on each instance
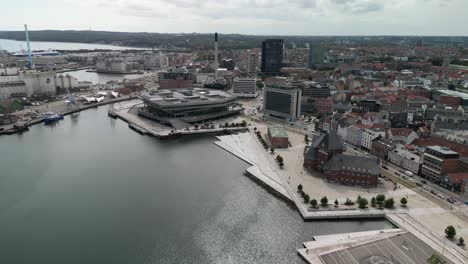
(90, 190)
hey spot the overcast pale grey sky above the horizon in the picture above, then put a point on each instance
(260, 17)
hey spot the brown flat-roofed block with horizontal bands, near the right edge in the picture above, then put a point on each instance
(437, 161)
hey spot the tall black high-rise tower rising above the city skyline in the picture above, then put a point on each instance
(272, 56)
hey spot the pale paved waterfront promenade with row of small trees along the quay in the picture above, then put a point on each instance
(419, 218)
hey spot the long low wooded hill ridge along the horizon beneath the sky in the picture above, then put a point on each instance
(227, 41)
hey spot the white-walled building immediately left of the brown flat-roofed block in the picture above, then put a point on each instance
(404, 158)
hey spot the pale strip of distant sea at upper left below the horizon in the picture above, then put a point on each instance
(15, 46)
